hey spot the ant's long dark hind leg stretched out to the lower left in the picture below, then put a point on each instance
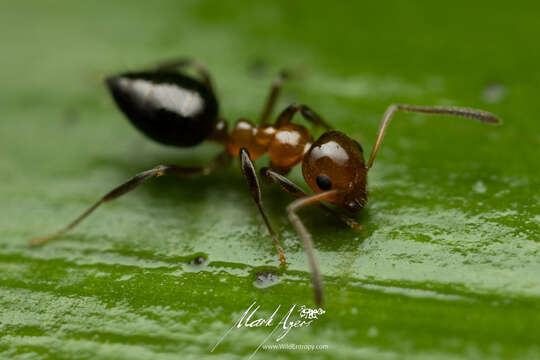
(131, 184)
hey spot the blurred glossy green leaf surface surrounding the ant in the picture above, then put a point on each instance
(447, 268)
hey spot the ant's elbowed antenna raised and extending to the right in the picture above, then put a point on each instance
(476, 114)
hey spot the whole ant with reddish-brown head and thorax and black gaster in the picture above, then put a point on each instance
(176, 109)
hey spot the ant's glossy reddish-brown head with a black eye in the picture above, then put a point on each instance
(335, 161)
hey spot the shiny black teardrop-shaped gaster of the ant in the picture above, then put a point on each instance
(168, 107)
